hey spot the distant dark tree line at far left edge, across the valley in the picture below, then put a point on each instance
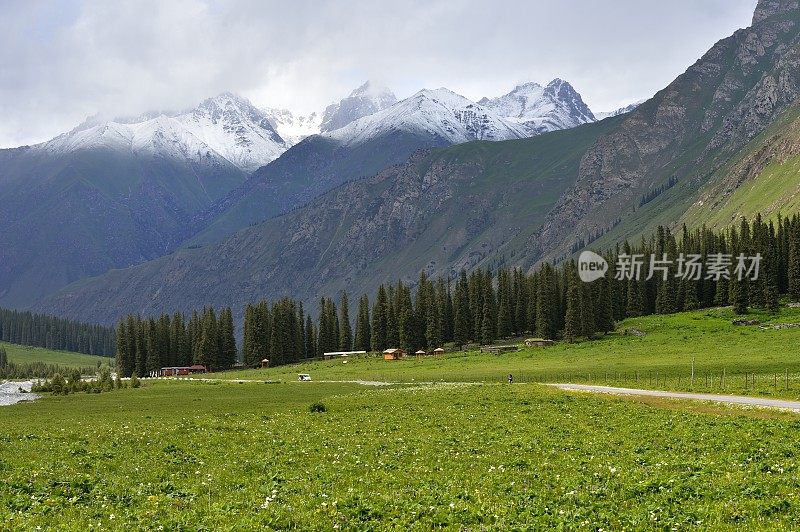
(40, 330)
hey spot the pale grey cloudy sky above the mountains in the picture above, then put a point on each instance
(62, 60)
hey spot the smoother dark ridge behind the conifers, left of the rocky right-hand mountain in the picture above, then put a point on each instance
(445, 209)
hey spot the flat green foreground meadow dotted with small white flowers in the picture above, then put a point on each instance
(193, 455)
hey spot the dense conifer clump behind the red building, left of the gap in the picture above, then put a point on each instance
(145, 345)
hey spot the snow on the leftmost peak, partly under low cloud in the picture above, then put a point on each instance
(226, 129)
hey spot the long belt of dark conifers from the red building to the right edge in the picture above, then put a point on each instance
(485, 306)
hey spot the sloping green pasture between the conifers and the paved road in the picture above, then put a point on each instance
(662, 358)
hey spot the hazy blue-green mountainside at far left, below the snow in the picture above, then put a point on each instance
(68, 216)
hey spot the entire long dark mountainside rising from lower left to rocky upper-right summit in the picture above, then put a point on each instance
(512, 203)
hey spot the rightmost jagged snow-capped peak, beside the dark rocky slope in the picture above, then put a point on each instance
(541, 109)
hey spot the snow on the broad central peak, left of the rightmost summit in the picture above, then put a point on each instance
(438, 113)
